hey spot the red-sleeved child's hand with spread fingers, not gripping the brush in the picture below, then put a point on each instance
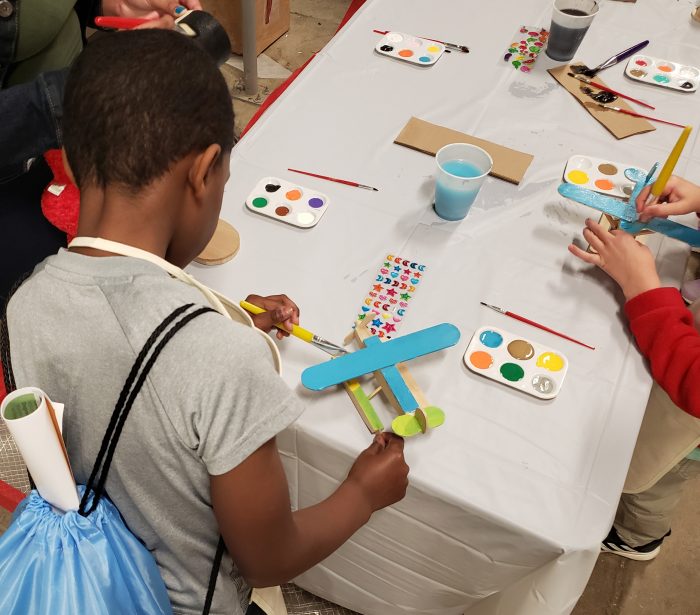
(622, 257)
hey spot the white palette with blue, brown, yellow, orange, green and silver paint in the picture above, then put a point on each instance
(516, 362)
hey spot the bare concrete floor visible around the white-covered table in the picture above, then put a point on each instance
(618, 586)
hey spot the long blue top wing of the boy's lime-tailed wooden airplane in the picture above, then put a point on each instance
(373, 358)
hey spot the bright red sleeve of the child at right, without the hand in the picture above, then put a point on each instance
(667, 337)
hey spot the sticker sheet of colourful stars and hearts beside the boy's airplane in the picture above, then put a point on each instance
(393, 288)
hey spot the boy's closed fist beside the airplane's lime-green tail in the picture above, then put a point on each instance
(381, 472)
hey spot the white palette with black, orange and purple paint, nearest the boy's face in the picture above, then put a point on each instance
(287, 202)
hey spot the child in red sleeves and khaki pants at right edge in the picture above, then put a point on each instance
(667, 334)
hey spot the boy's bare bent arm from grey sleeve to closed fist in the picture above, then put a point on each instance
(271, 544)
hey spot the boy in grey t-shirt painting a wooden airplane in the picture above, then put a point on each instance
(148, 131)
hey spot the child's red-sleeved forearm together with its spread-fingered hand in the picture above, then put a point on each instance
(662, 325)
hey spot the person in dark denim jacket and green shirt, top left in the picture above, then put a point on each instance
(38, 41)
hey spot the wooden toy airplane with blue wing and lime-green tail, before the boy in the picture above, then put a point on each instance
(384, 360)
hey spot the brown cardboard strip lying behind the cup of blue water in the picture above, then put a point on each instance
(508, 164)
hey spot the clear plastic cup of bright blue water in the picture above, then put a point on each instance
(462, 168)
